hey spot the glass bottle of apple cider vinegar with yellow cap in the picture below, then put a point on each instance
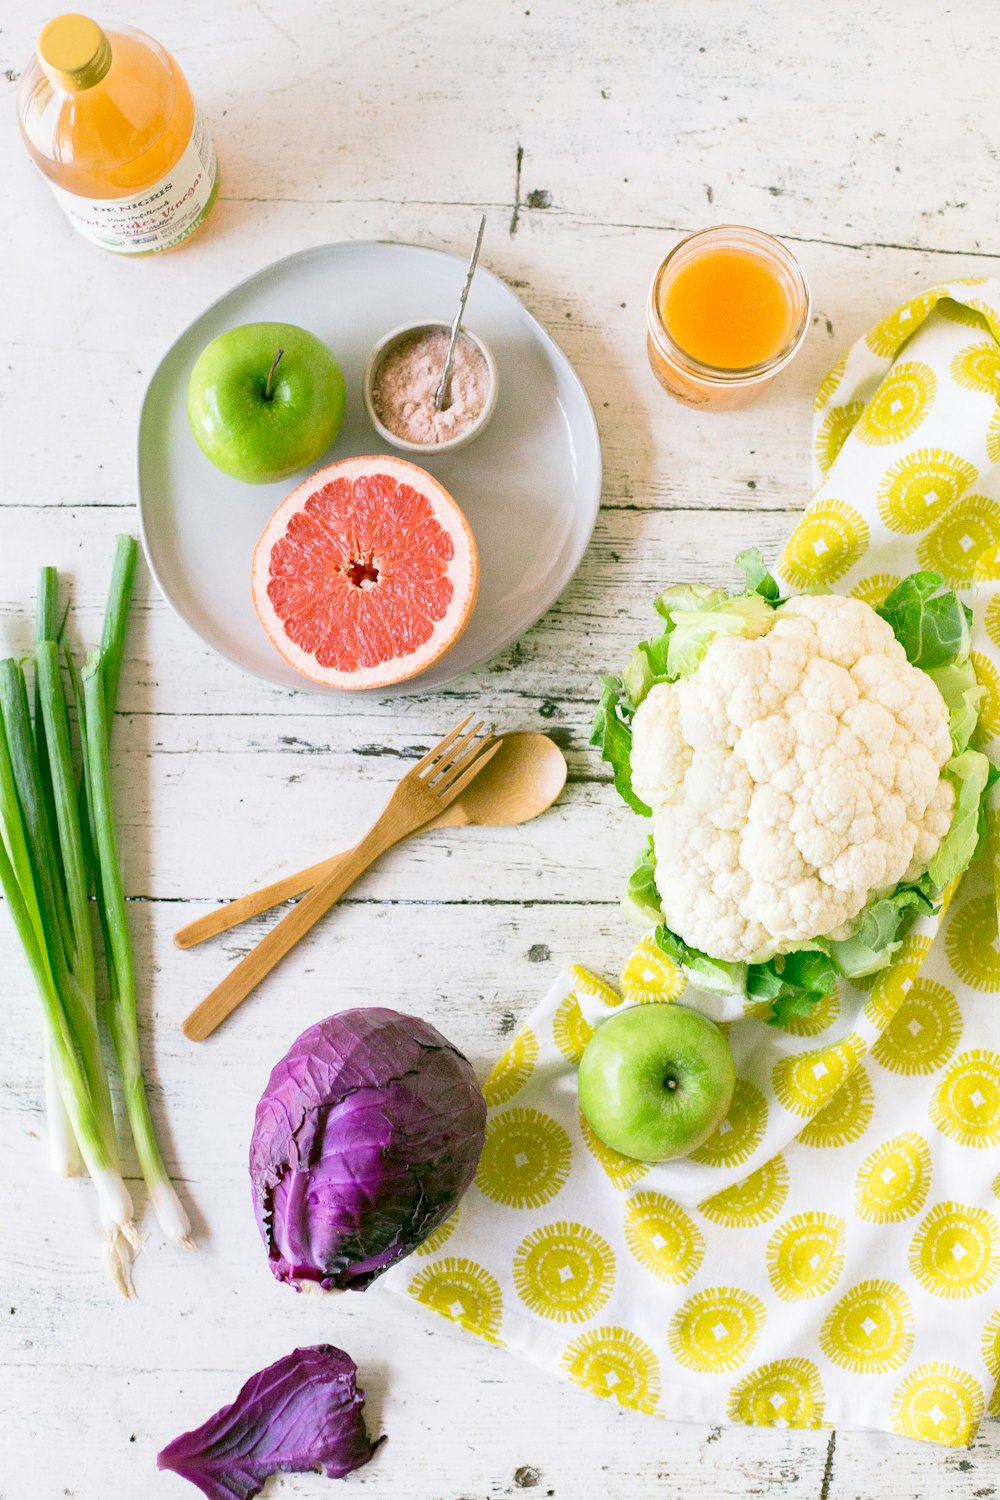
(109, 118)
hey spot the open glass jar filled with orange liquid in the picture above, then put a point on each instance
(744, 307)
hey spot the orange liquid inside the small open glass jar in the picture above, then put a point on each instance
(728, 308)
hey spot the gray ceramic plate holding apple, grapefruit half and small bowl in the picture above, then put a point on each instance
(530, 485)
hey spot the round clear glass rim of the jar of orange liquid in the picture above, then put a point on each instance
(714, 374)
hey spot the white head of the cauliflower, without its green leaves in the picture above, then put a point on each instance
(792, 778)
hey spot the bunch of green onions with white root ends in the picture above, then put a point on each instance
(56, 838)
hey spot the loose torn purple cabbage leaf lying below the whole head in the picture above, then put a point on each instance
(304, 1414)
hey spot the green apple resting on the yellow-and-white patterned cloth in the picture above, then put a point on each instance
(657, 1081)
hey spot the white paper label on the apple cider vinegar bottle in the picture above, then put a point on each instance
(160, 217)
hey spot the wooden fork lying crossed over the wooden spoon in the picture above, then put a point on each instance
(424, 794)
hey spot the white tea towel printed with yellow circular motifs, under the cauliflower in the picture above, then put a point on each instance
(831, 1255)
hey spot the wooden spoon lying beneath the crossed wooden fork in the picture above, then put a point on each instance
(522, 781)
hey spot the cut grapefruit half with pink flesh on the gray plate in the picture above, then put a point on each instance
(367, 574)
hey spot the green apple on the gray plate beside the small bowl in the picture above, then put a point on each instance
(265, 401)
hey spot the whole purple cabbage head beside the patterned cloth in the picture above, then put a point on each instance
(368, 1135)
